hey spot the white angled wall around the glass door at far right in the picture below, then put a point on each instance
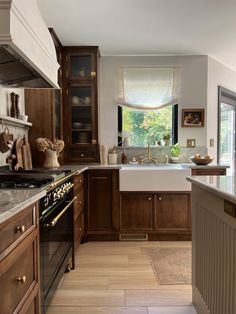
(218, 75)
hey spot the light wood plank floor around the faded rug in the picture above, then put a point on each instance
(117, 278)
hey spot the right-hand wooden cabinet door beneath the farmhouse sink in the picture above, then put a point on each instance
(172, 212)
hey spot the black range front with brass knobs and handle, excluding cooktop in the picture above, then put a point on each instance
(56, 237)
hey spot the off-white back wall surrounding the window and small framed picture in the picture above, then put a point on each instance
(193, 92)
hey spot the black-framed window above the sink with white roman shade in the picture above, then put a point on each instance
(147, 105)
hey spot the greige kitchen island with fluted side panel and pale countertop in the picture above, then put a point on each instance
(214, 244)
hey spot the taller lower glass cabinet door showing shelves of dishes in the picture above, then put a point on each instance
(81, 113)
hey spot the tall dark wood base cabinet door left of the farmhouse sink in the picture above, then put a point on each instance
(100, 200)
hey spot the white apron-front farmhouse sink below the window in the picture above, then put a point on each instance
(154, 178)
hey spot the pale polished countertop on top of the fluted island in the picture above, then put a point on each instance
(222, 186)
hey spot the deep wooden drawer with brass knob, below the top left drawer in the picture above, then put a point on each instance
(18, 276)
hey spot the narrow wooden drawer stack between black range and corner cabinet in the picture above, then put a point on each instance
(78, 191)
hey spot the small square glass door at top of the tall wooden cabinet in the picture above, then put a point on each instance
(81, 66)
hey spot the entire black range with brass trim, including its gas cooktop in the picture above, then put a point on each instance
(56, 223)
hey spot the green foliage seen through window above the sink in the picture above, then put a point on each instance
(140, 124)
